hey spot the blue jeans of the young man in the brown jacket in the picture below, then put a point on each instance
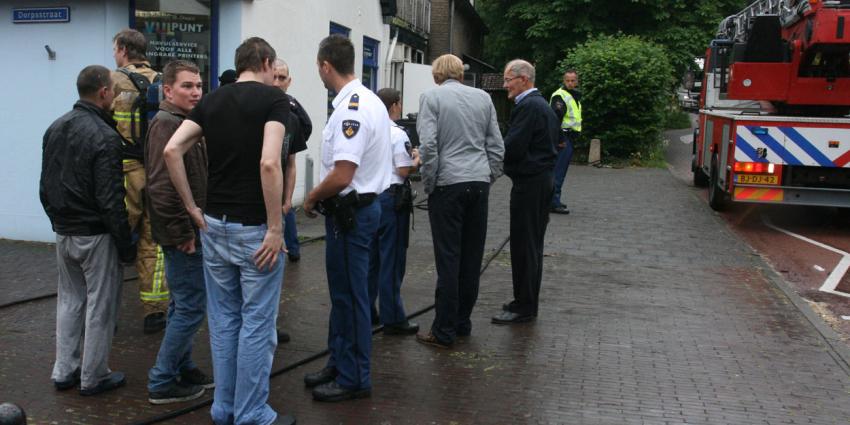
(185, 275)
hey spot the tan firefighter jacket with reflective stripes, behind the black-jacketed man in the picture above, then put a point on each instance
(125, 95)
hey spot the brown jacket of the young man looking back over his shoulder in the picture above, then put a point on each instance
(170, 223)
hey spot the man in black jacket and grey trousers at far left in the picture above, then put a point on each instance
(82, 191)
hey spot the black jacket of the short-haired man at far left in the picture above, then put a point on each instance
(82, 183)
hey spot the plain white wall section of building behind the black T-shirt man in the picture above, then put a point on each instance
(295, 28)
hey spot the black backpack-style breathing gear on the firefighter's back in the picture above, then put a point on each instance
(146, 105)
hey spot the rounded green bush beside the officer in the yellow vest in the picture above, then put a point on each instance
(626, 84)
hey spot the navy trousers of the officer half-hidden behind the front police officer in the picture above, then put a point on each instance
(388, 260)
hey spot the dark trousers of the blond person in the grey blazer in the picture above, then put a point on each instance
(458, 215)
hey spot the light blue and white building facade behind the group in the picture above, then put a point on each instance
(48, 42)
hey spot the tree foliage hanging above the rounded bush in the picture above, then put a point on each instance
(543, 31)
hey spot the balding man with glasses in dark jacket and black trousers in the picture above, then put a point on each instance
(529, 161)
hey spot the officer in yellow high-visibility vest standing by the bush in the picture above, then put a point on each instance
(566, 101)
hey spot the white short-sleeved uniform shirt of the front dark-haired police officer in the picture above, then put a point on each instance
(358, 131)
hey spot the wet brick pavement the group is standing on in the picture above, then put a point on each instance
(652, 312)
